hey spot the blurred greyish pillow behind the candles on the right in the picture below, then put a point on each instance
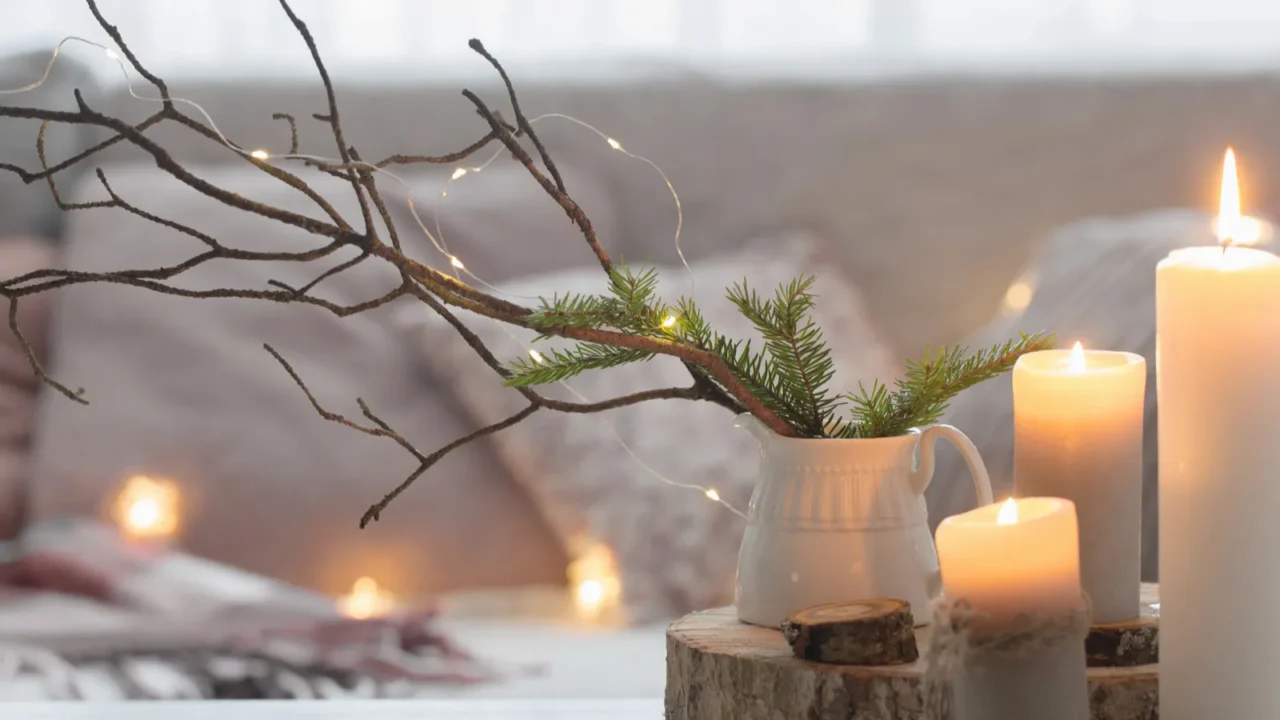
(1094, 282)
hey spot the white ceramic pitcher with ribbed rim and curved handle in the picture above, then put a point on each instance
(843, 520)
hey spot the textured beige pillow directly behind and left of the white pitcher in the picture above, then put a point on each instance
(676, 552)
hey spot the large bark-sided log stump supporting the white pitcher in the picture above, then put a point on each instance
(721, 669)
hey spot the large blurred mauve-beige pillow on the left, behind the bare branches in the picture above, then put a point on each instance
(182, 389)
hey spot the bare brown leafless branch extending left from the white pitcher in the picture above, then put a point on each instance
(442, 293)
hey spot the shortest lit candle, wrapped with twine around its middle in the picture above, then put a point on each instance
(1021, 558)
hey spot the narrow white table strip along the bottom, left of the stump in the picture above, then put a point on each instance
(341, 710)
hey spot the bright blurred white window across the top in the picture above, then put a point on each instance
(415, 39)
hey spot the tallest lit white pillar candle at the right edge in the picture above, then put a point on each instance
(1218, 336)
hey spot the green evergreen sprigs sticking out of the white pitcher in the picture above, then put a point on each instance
(789, 373)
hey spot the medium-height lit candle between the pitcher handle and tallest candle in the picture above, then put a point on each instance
(1078, 435)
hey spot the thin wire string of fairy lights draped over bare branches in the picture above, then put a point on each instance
(437, 239)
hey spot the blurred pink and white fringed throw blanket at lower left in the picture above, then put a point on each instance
(145, 601)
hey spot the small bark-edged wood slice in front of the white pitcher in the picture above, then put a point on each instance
(866, 632)
